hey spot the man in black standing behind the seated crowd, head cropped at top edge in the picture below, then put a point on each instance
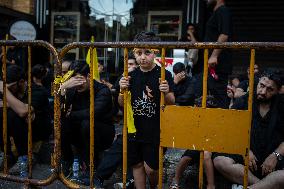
(218, 29)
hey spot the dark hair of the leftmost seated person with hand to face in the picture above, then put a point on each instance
(14, 74)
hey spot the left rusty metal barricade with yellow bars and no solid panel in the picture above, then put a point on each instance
(29, 180)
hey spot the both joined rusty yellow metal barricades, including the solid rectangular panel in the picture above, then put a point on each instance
(174, 126)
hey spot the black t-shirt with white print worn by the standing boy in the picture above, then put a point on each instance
(145, 101)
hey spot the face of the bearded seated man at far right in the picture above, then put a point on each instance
(266, 89)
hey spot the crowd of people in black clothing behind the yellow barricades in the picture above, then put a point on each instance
(184, 88)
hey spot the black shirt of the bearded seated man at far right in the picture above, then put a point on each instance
(267, 132)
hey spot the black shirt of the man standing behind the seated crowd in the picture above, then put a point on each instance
(219, 23)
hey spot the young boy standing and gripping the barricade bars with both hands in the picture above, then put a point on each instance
(145, 87)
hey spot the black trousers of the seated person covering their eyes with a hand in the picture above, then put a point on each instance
(77, 133)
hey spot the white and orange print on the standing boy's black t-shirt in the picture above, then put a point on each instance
(145, 106)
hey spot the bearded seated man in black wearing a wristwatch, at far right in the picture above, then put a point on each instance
(267, 139)
